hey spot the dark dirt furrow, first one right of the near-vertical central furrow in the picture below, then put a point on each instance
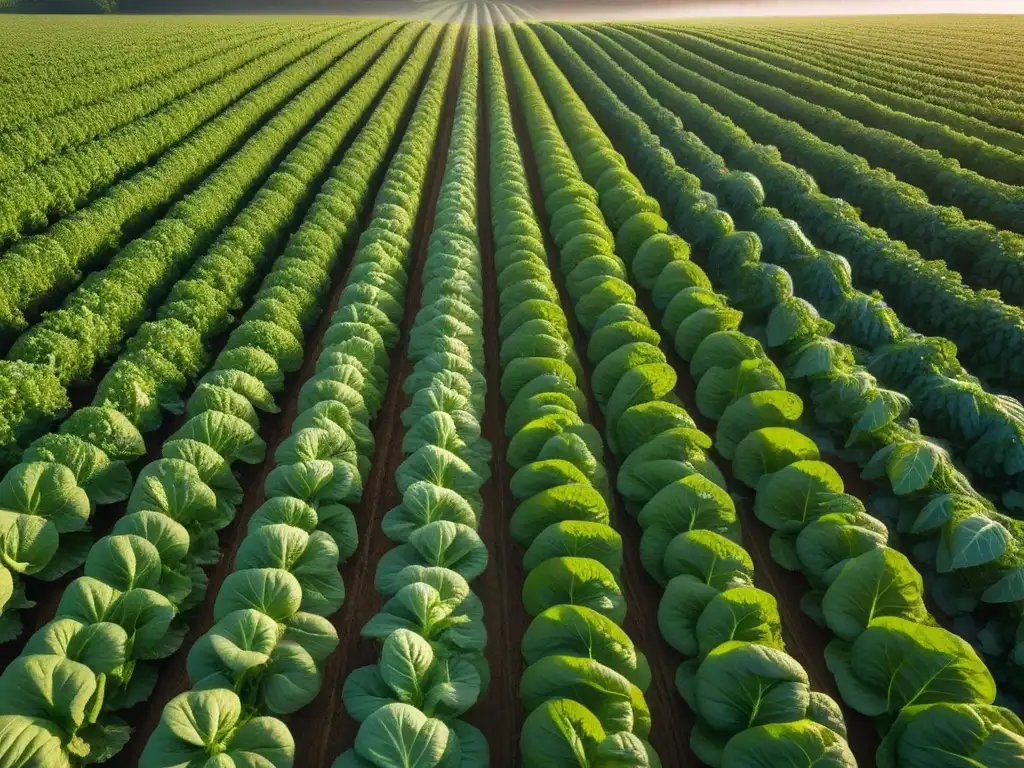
(672, 720)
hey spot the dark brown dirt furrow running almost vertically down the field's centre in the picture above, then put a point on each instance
(499, 713)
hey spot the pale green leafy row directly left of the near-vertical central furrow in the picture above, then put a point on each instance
(431, 631)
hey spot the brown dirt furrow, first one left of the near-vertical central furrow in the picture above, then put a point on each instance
(322, 738)
